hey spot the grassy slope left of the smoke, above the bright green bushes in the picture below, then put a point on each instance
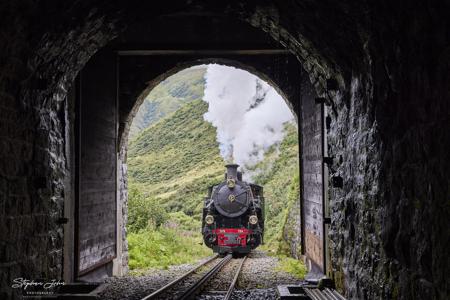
(176, 159)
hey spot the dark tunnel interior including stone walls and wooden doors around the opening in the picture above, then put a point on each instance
(367, 82)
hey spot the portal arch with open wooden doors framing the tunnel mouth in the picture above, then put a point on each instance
(128, 76)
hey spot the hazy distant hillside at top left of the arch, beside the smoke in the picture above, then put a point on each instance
(168, 96)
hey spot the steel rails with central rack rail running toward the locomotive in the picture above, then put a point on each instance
(196, 287)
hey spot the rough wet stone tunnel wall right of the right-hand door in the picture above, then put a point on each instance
(388, 137)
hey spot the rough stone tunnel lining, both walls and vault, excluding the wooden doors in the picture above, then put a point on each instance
(388, 134)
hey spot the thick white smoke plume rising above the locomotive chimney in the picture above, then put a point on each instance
(248, 113)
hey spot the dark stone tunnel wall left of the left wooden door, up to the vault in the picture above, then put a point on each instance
(35, 74)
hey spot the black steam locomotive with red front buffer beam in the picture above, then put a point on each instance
(233, 215)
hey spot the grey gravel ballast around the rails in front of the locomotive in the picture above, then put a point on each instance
(258, 280)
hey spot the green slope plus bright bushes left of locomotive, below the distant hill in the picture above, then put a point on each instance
(170, 166)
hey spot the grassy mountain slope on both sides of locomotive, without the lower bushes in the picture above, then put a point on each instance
(176, 159)
